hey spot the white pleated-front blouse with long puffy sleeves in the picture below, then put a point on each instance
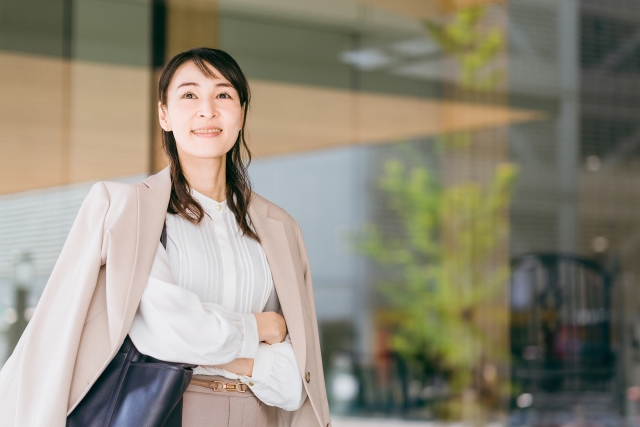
(222, 279)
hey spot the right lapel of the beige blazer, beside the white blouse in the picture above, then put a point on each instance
(277, 249)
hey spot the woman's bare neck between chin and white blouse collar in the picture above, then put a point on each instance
(206, 176)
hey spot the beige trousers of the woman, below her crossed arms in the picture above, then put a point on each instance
(203, 407)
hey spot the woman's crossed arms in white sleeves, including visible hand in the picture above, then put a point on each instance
(173, 324)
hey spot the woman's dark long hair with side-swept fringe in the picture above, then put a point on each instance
(237, 159)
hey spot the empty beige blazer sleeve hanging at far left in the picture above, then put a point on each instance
(36, 380)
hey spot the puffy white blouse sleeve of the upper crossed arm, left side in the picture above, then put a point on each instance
(173, 324)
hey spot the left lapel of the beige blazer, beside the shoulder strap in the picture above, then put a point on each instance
(153, 199)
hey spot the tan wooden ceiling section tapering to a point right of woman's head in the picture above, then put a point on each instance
(289, 118)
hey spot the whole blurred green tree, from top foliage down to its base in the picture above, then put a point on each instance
(445, 301)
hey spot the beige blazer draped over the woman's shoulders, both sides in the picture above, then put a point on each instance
(88, 305)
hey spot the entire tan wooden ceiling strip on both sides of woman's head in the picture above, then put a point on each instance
(66, 122)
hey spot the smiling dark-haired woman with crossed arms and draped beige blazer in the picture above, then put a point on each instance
(232, 260)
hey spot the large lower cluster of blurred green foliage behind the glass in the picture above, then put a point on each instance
(444, 258)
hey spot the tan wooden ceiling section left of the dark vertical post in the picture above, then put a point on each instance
(64, 122)
